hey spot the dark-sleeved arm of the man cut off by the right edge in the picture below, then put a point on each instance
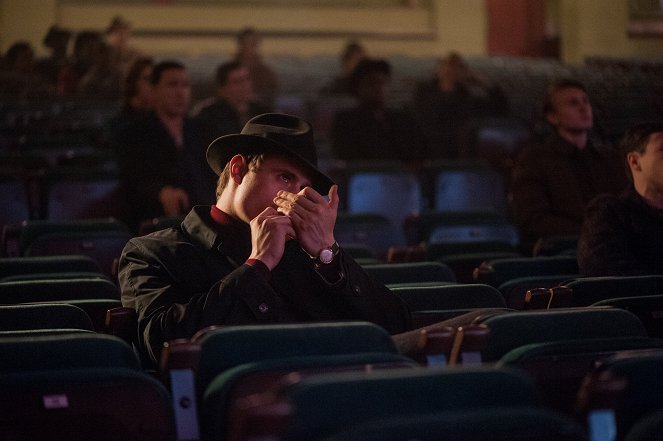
(605, 246)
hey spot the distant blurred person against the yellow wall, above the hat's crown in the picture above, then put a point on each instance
(263, 77)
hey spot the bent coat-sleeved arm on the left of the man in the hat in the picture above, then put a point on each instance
(172, 305)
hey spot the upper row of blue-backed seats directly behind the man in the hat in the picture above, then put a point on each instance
(40, 191)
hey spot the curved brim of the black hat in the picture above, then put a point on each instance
(222, 149)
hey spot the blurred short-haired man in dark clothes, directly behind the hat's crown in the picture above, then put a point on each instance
(233, 105)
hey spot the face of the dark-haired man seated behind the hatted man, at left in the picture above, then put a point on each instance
(172, 95)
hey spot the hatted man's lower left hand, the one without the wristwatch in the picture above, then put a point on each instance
(269, 232)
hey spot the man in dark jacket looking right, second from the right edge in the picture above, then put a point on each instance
(552, 183)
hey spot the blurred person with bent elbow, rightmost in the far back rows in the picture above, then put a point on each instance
(454, 97)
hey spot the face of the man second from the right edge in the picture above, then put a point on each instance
(572, 111)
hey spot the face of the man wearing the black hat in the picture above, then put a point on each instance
(259, 187)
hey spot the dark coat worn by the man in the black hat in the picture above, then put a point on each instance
(183, 279)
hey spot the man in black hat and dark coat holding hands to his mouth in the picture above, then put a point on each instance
(265, 252)
